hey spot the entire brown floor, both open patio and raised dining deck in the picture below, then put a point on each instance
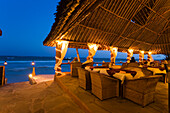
(48, 97)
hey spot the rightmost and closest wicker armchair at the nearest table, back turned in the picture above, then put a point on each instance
(141, 91)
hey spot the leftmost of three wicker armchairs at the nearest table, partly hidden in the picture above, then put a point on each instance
(84, 78)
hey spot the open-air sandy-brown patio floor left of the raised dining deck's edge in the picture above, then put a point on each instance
(46, 97)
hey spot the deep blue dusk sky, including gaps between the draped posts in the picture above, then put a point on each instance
(26, 23)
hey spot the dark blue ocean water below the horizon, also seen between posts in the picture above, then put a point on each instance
(18, 69)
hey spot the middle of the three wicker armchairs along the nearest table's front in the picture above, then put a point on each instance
(103, 86)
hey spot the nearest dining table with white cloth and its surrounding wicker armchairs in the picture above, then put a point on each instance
(129, 81)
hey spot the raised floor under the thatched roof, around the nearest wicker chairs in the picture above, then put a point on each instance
(117, 105)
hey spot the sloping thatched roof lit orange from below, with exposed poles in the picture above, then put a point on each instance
(136, 24)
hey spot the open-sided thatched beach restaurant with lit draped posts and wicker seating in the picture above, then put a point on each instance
(131, 26)
